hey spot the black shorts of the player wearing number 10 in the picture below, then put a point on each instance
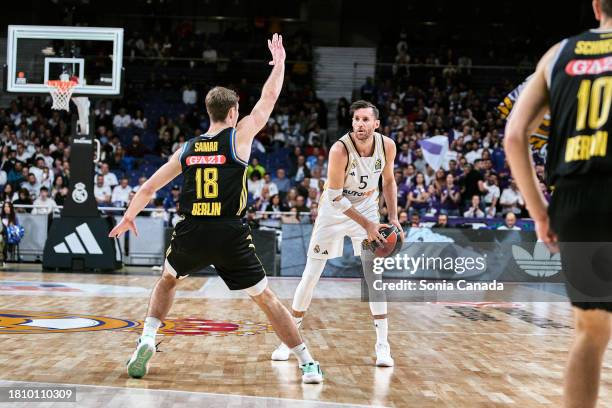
(581, 215)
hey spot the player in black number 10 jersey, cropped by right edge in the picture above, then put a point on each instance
(574, 80)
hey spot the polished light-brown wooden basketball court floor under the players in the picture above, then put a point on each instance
(80, 329)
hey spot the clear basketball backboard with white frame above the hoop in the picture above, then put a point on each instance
(91, 55)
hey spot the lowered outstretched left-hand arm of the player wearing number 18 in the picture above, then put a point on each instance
(160, 178)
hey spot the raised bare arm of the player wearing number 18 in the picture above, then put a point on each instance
(250, 125)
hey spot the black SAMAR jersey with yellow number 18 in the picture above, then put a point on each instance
(214, 178)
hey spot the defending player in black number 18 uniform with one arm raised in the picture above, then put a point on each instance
(212, 203)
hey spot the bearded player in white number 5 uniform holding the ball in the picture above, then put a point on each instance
(350, 207)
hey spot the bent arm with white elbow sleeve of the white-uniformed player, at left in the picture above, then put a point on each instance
(338, 160)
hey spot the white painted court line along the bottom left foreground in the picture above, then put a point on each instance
(212, 394)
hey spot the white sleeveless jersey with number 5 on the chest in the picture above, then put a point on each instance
(362, 175)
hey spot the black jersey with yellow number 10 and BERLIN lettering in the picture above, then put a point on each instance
(580, 99)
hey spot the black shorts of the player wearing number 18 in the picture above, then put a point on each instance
(225, 243)
